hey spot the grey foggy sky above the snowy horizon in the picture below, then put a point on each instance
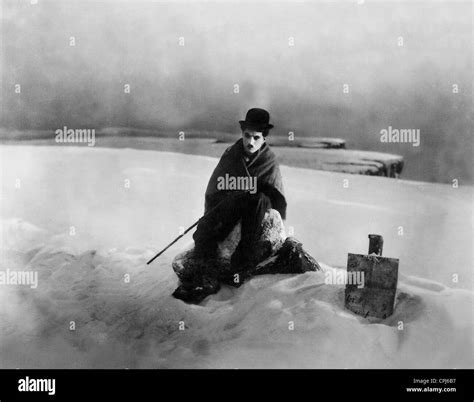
(226, 43)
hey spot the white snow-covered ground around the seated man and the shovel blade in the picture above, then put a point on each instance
(87, 220)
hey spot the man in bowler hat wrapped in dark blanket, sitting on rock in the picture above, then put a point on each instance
(245, 186)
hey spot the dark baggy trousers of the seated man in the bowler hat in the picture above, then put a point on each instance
(216, 226)
